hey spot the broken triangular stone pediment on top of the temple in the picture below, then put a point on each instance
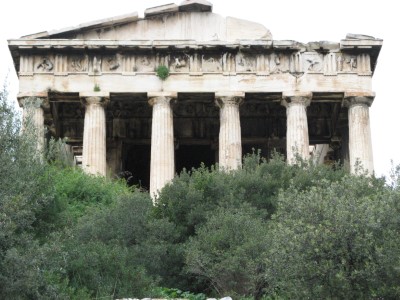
(191, 20)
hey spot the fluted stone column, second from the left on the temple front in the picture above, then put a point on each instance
(94, 133)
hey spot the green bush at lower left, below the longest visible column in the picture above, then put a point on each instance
(120, 250)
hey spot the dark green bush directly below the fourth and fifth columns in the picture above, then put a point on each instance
(196, 193)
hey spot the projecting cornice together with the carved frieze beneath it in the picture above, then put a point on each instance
(261, 57)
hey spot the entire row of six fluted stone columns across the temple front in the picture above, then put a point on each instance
(162, 165)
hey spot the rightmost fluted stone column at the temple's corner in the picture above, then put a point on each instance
(360, 145)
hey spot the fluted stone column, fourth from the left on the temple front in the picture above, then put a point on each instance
(230, 139)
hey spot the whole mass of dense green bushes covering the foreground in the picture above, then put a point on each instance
(268, 230)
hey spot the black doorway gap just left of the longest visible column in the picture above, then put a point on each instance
(136, 160)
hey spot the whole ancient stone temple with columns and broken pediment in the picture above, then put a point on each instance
(183, 86)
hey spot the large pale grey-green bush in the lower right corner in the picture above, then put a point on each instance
(336, 240)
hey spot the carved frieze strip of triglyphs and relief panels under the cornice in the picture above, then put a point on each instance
(199, 62)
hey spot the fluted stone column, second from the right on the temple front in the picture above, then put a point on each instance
(297, 141)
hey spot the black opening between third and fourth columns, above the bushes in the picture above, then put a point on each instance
(191, 156)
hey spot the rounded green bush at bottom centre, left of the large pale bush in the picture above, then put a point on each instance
(228, 250)
